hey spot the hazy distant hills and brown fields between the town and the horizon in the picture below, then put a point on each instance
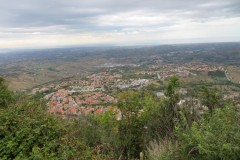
(27, 68)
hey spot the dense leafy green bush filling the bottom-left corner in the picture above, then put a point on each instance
(28, 132)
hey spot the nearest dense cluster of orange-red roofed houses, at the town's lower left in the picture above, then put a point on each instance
(66, 102)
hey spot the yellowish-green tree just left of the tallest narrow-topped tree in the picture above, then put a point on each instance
(131, 126)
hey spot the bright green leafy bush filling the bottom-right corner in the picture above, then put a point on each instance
(214, 137)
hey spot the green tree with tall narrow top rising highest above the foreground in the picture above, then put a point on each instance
(159, 114)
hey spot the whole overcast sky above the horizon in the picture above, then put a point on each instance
(56, 23)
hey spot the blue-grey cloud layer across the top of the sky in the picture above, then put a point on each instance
(83, 15)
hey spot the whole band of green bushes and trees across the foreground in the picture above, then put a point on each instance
(152, 127)
